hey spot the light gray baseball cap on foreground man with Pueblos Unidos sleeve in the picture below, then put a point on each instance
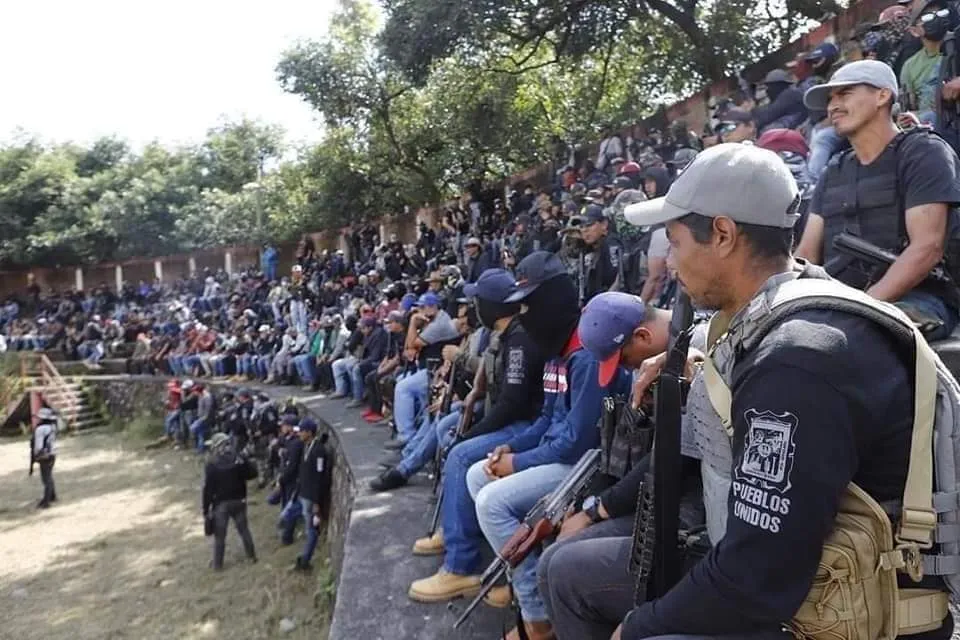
(739, 181)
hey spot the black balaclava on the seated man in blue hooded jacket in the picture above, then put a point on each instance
(552, 315)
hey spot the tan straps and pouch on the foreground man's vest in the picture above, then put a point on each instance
(854, 595)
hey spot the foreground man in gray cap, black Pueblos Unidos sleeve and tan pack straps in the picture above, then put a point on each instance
(828, 399)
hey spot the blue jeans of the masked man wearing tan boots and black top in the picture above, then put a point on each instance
(462, 537)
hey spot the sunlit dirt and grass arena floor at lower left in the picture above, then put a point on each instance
(122, 554)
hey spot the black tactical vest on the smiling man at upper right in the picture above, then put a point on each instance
(865, 201)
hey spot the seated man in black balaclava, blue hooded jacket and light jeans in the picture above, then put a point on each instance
(537, 459)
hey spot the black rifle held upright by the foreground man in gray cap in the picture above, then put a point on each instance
(656, 551)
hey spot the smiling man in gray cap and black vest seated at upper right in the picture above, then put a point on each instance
(897, 190)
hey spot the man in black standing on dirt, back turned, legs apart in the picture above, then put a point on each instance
(225, 495)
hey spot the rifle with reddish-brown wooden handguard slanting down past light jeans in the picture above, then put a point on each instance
(539, 524)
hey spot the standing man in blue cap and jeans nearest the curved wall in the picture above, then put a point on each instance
(314, 486)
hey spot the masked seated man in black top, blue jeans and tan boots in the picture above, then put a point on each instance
(510, 379)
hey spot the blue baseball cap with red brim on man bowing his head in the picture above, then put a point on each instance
(606, 324)
